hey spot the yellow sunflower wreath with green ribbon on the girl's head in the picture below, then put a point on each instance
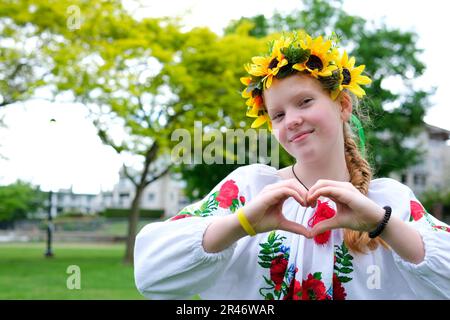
(317, 57)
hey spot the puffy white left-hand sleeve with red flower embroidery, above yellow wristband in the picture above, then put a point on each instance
(169, 259)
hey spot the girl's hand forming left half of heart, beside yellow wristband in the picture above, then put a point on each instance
(264, 212)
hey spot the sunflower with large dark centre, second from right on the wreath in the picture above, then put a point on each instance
(318, 63)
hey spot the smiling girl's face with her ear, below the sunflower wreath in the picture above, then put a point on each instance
(305, 120)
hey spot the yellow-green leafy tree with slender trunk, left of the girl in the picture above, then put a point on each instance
(147, 77)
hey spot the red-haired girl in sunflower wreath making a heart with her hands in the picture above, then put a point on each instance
(319, 229)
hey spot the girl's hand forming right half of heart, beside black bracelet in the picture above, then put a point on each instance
(354, 210)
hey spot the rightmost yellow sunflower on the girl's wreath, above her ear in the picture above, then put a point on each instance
(351, 77)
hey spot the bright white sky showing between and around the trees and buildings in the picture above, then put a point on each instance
(67, 153)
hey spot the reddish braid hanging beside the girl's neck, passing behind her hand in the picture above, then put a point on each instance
(360, 177)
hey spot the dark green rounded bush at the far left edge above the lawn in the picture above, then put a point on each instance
(18, 200)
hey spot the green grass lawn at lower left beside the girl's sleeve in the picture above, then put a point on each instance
(26, 274)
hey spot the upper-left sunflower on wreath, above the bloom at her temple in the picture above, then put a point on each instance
(268, 67)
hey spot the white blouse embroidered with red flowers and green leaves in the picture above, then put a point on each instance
(171, 263)
